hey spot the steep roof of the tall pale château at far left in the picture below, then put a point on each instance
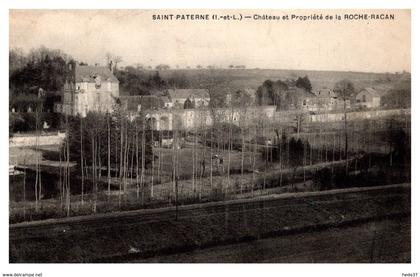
(87, 73)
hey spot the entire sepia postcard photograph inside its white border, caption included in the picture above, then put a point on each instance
(209, 136)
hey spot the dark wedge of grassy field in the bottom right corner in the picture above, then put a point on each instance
(326, 246)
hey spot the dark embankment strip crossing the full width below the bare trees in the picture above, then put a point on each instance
(320, 203)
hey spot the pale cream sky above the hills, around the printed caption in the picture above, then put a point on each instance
(345, 45)
